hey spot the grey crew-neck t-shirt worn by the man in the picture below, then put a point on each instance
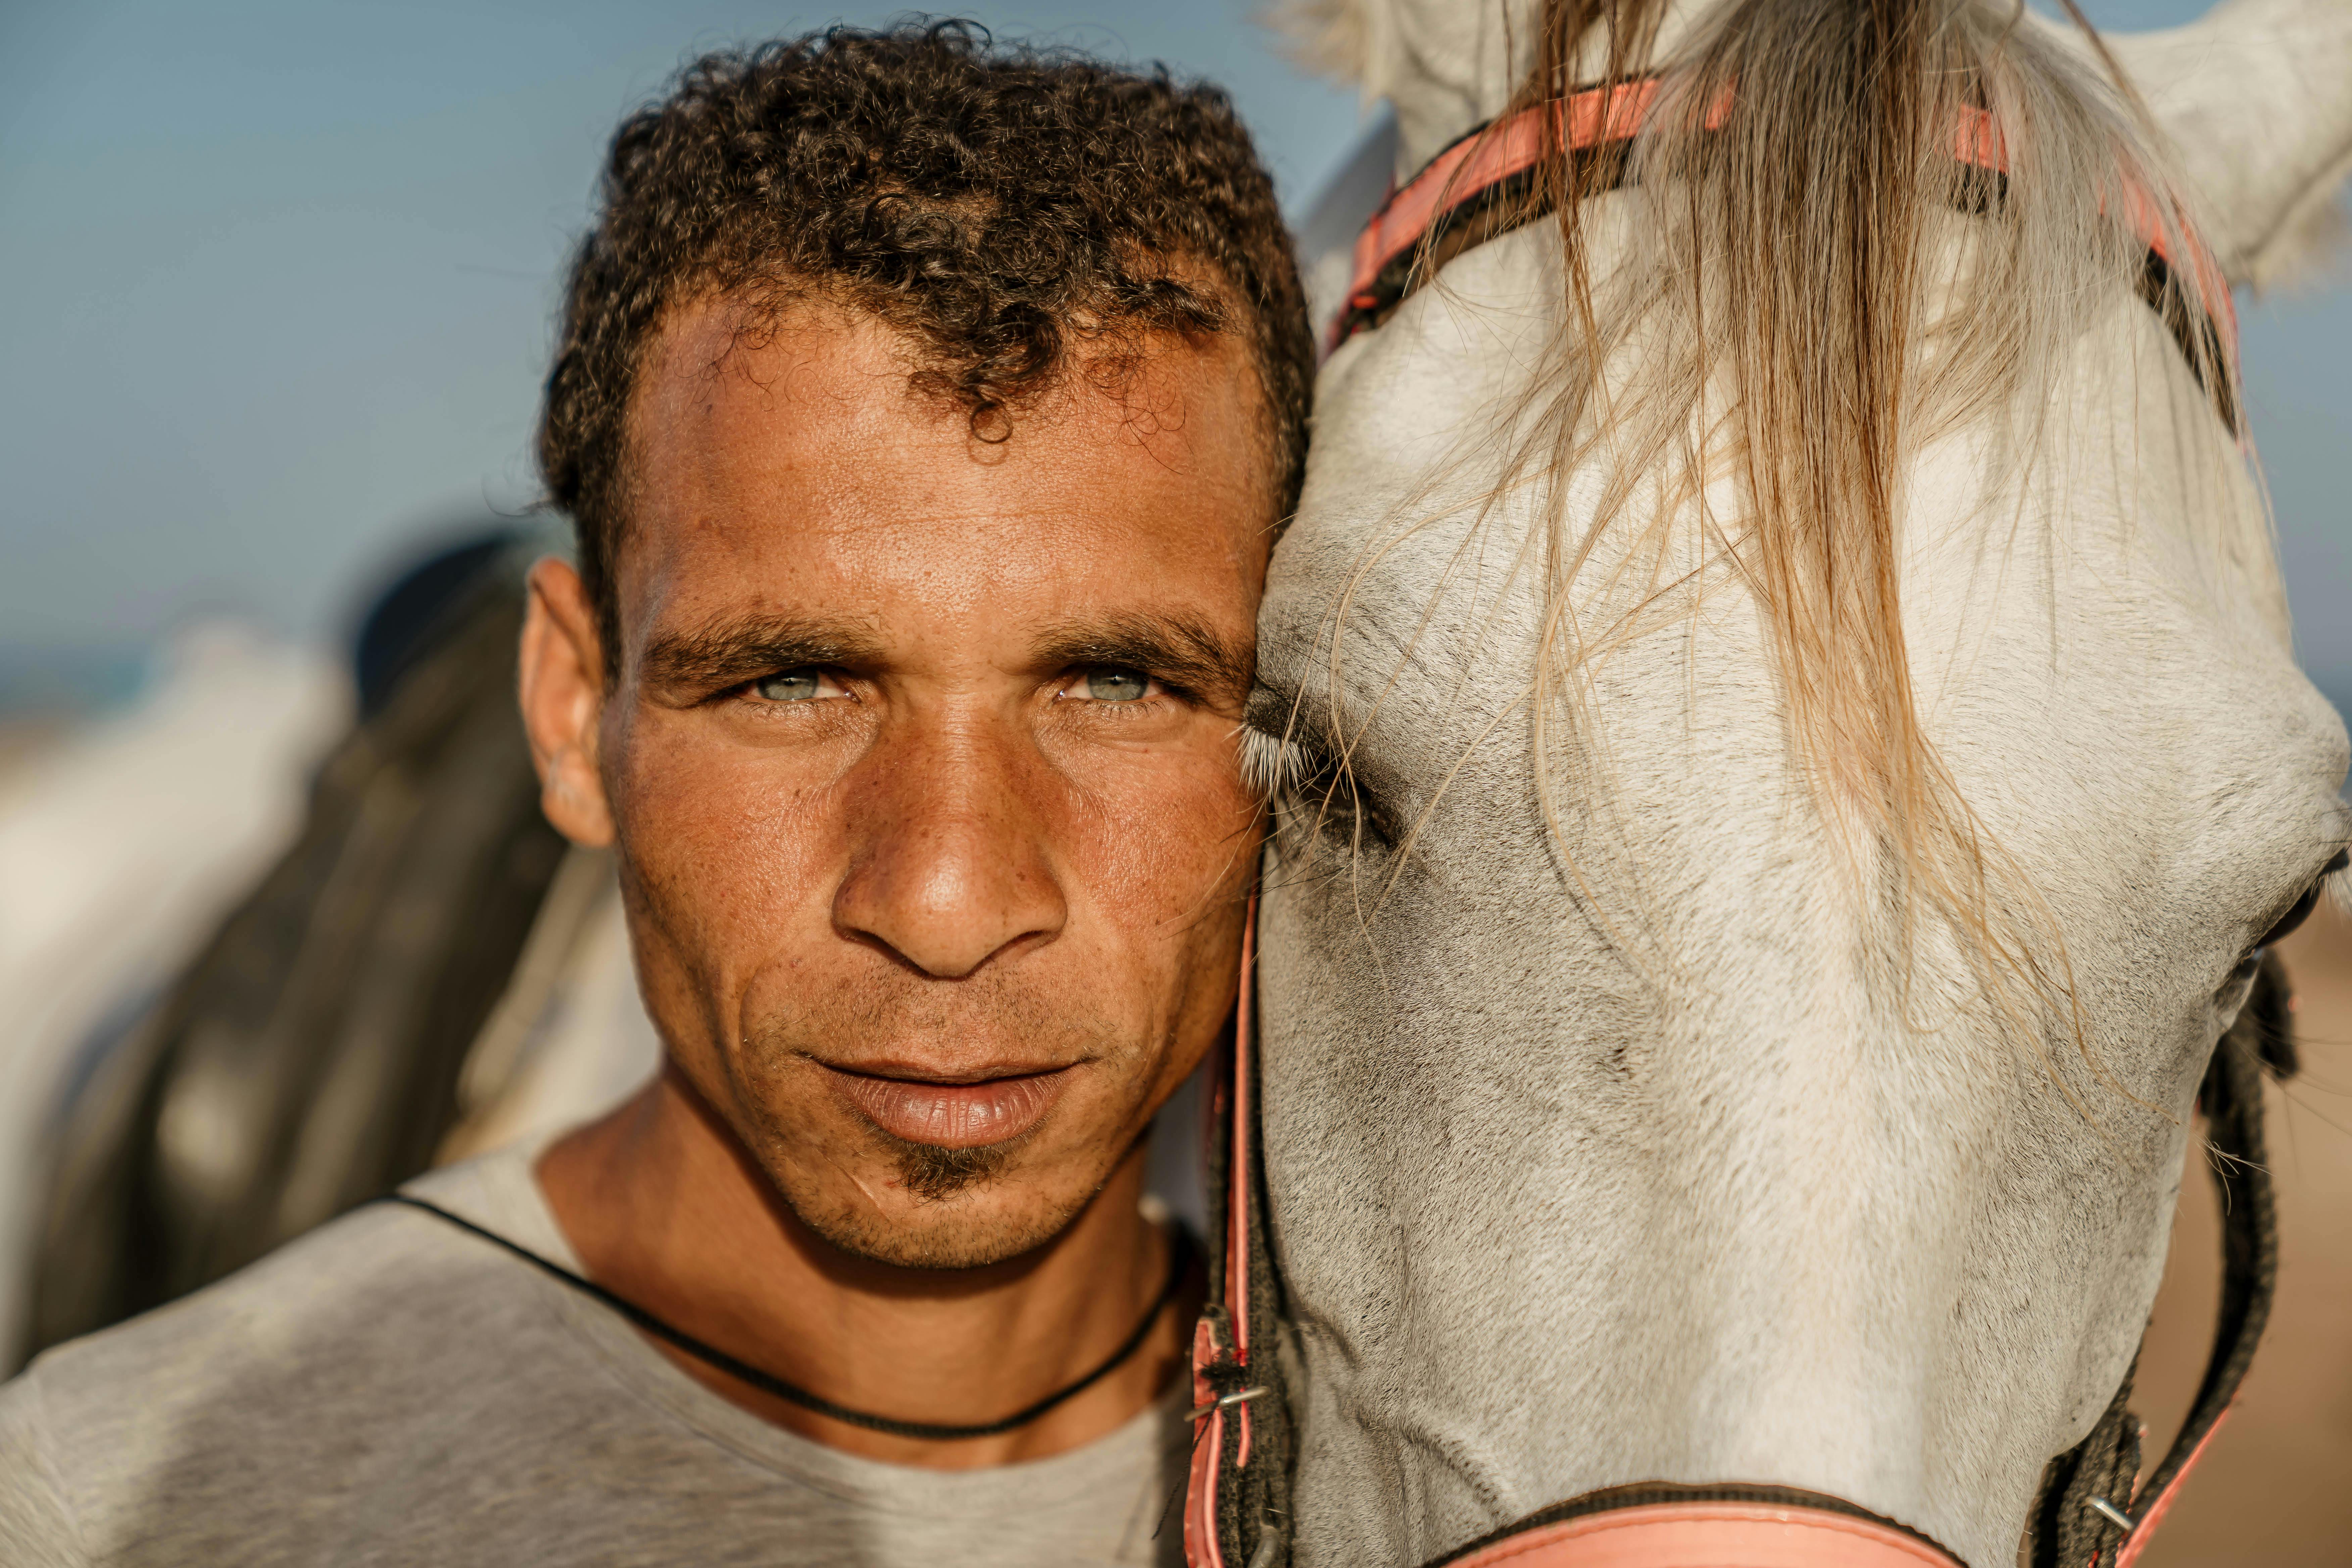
(392, 1391)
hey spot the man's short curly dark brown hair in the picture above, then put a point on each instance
(996, 206)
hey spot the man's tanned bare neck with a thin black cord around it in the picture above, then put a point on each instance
(669, 1212)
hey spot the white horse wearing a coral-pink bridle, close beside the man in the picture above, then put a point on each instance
(1784, 739)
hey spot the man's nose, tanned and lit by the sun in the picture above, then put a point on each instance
(951, 859)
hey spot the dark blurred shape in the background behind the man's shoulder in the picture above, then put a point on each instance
(309, 1059)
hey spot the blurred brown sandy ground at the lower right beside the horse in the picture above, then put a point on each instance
(2276, 1487)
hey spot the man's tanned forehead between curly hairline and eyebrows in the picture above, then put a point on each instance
(791, 460)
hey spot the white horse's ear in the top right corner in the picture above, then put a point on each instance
(2257, 98)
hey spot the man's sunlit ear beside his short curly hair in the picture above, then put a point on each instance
(563, 704)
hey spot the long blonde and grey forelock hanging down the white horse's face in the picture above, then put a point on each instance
(1815, 290)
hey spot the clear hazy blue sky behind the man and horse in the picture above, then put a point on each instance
(281, 274)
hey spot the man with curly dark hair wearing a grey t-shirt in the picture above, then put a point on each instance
(926, 413)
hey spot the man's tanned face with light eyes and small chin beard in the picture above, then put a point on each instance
(921, 760)
